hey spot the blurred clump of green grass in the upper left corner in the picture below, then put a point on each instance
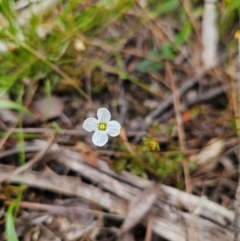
(52, 57)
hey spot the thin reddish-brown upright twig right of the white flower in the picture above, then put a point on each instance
(182, 138)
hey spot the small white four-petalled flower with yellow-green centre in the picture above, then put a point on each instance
(102, 127)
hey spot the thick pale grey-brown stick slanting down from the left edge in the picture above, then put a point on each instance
(68, 186)
